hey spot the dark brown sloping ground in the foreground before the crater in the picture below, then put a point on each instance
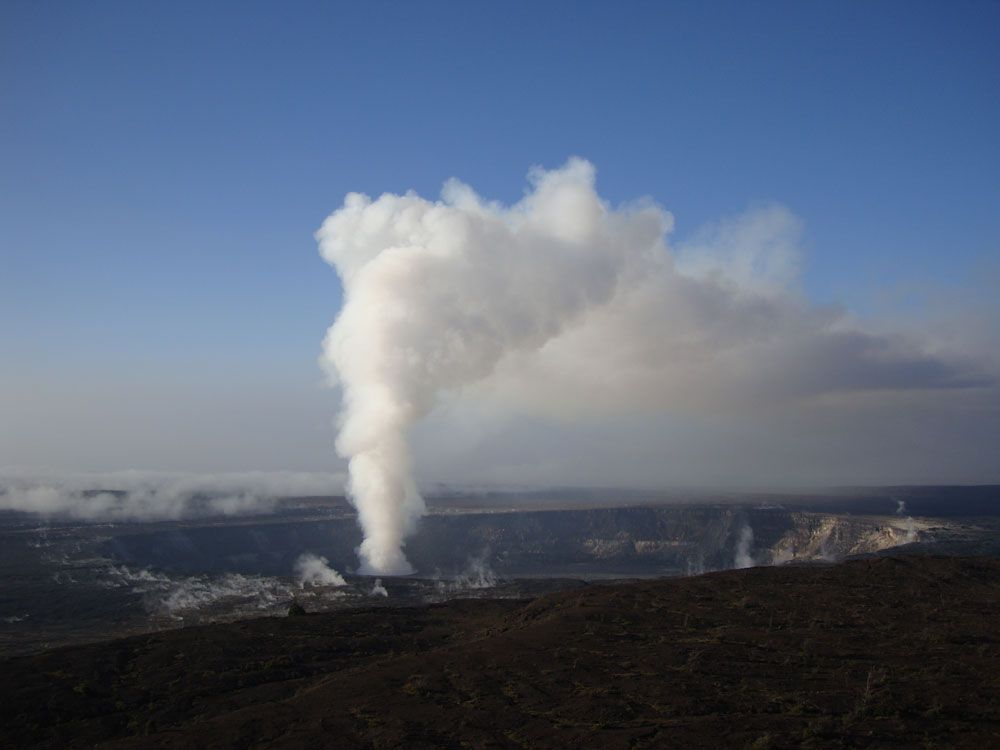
(881, 652)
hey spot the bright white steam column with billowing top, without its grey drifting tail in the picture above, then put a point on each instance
(437, 293)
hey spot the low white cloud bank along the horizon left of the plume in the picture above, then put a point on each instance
(156, 496)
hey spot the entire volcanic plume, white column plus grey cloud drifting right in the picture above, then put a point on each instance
(564, 308)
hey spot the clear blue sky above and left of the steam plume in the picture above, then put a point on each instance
(163, 167)
